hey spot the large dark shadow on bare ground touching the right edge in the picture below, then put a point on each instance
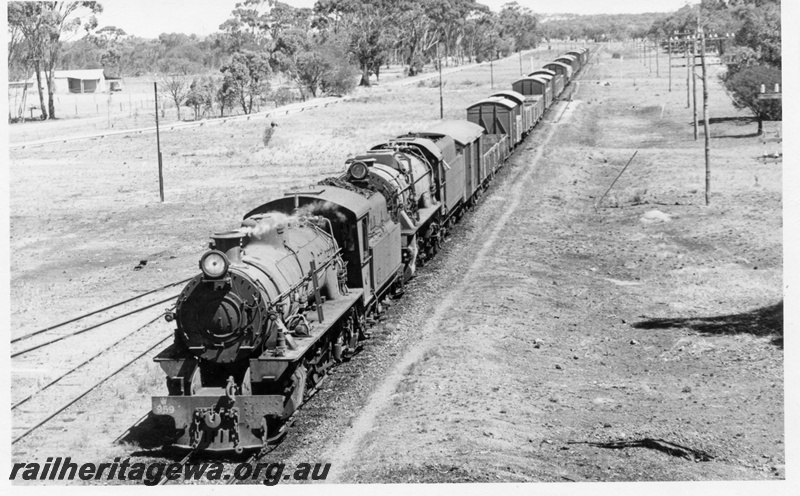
(765, 321)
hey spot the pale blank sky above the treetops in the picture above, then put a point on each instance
(149, 18)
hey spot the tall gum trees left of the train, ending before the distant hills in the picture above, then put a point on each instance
(322, 50)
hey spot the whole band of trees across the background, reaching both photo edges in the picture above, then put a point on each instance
(337, 44)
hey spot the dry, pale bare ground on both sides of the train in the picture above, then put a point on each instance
(547, 324)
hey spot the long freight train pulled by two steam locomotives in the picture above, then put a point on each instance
(293, 290)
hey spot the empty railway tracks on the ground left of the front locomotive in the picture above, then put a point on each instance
(49, 378)
